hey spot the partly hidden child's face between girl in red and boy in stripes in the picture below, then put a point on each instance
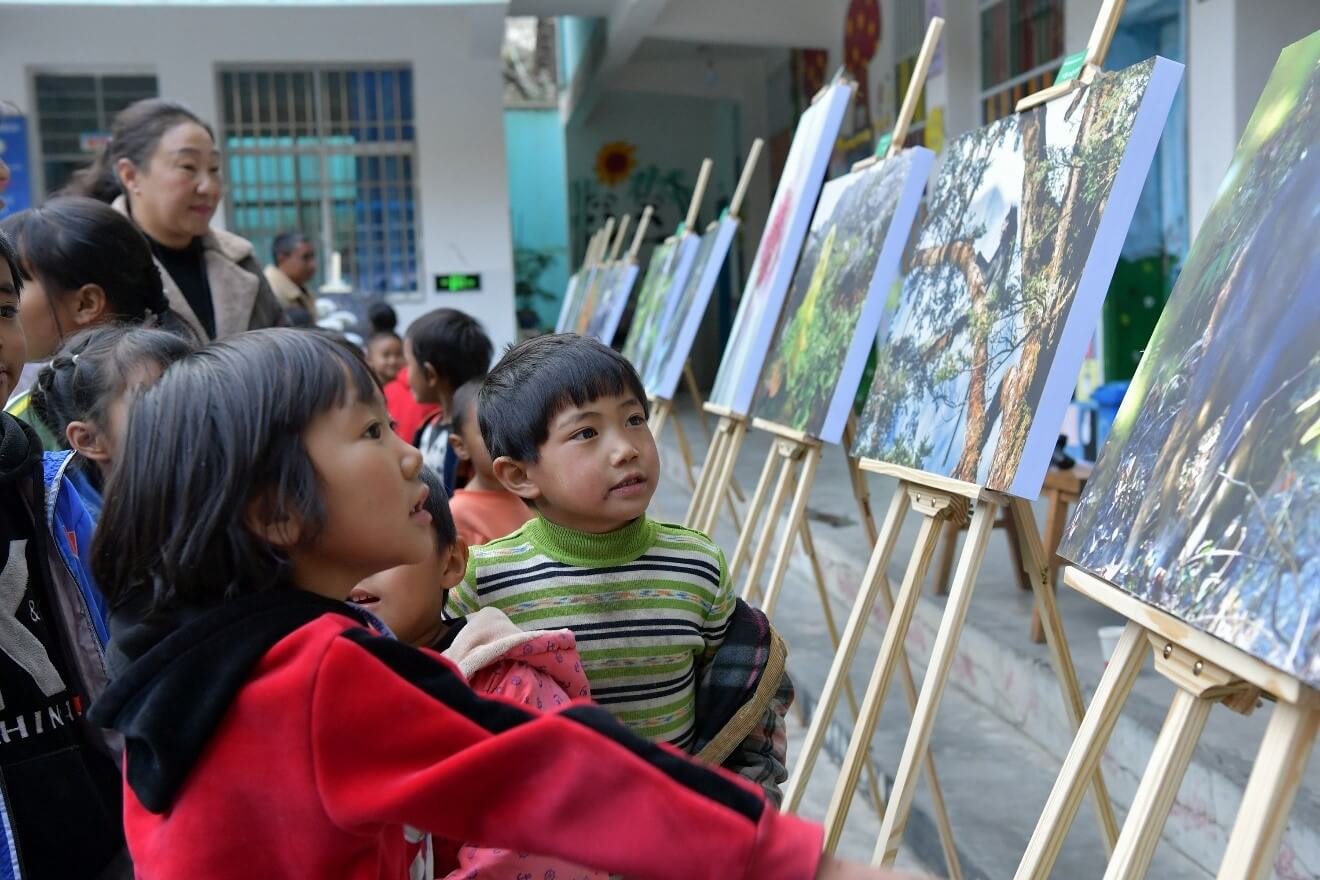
(410, 598)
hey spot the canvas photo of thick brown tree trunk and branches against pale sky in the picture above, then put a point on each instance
(997, 274)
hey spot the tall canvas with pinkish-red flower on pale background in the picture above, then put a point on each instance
(790, 214)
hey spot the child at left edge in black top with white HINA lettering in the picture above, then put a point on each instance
(60, 791)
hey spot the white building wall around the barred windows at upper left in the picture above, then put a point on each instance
(459, 104)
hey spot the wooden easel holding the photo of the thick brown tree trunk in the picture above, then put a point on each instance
(938, 498)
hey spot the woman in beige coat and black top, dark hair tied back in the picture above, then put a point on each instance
(163, 170)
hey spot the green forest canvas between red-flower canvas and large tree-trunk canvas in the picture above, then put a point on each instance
(838, 298)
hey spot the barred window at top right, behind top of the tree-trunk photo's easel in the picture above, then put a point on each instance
(1022, 48)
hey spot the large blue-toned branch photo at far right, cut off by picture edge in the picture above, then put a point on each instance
(1206, 501)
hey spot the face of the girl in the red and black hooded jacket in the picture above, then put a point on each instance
(372, 497)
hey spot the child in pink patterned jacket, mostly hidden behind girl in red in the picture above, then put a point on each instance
(539, 670)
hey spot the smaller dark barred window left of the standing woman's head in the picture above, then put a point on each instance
(75, 114)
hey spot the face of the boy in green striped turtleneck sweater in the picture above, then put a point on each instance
(597, 470)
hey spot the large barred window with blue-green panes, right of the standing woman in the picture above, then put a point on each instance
(329, 152)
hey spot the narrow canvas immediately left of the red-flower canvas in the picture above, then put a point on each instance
(673, 349)
